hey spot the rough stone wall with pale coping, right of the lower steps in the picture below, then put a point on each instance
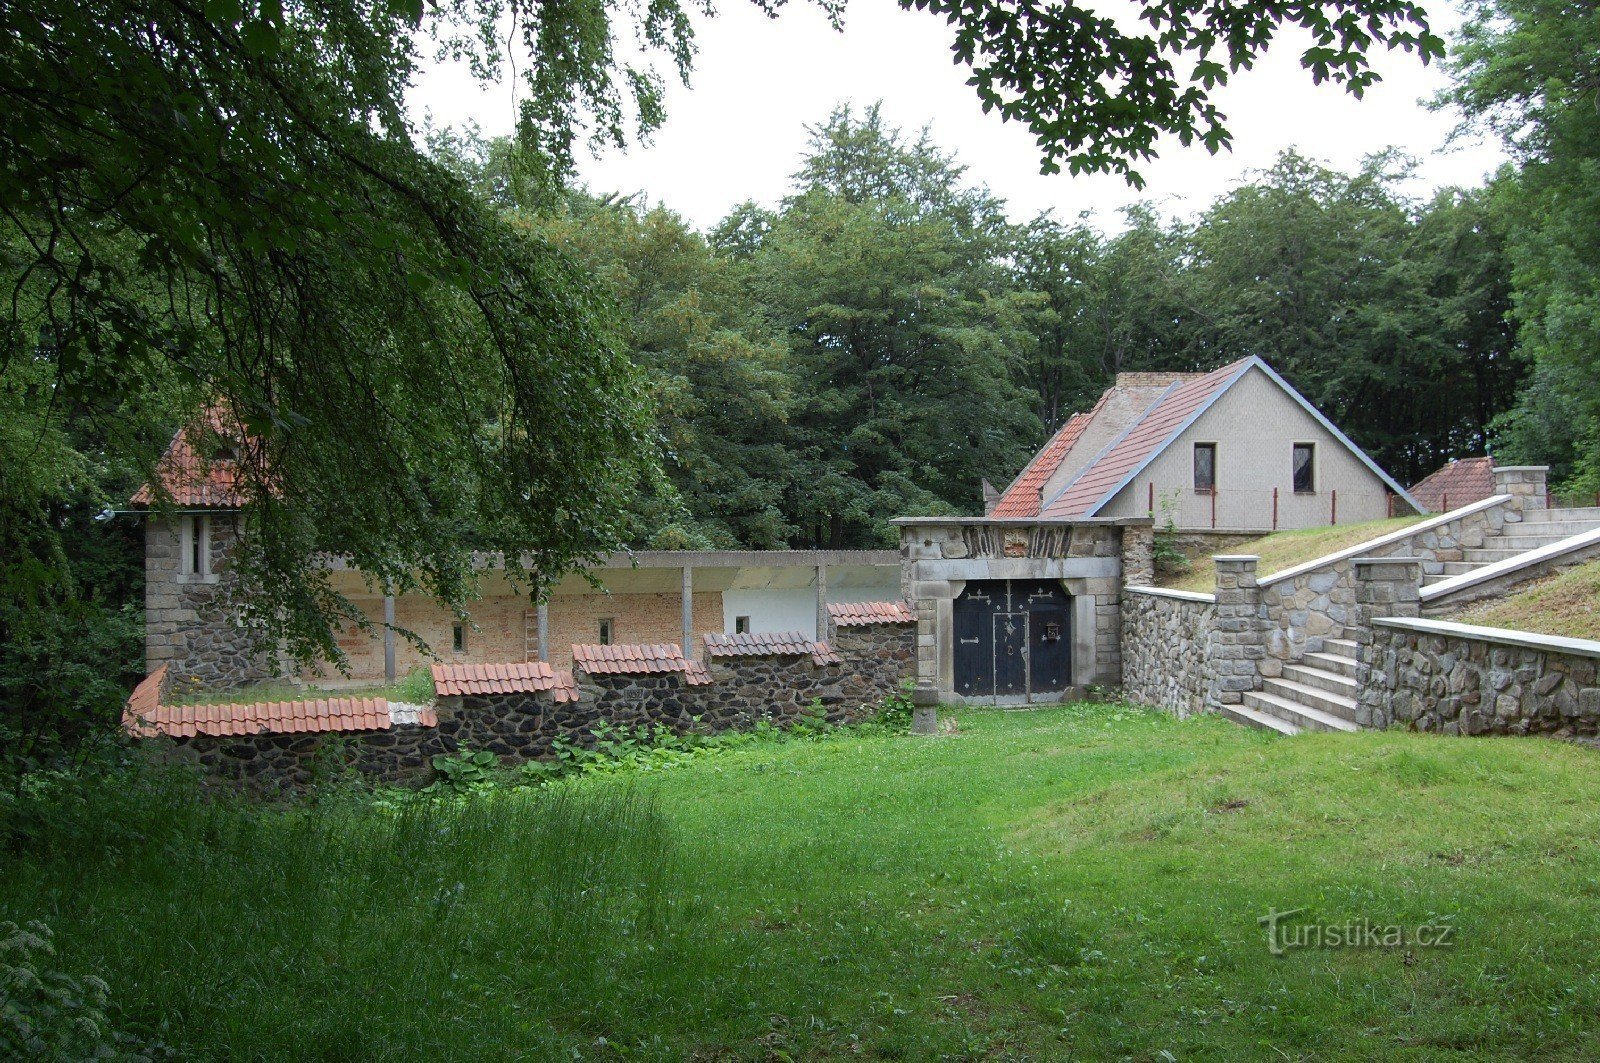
(1434, 676)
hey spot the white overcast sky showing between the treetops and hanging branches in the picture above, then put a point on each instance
(738, 130)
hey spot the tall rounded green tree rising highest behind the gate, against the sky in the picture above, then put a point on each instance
(884, 273)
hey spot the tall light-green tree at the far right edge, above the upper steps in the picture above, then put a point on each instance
(1529, 71)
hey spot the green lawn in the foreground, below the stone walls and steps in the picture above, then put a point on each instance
(1076, 883)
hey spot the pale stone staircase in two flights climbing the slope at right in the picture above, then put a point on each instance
(1319, 691)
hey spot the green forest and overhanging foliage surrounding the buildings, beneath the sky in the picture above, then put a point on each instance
(551, 372)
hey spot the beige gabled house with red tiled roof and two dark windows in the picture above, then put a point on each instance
(1234, 451)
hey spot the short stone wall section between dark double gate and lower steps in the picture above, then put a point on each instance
(1166, 638)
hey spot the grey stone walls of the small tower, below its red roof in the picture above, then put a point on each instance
(186, 622)
